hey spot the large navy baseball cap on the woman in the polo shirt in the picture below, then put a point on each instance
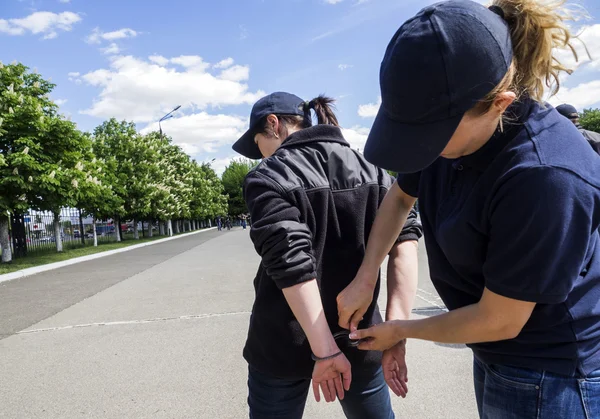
(437, 66)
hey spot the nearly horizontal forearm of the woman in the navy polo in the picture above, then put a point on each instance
(466, 325)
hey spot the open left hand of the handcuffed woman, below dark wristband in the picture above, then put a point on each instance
(330, 375)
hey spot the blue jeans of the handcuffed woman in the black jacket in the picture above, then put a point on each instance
(277, 398)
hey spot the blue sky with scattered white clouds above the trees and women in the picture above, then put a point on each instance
(138, 59)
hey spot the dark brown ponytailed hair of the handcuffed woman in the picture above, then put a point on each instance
(323, 107)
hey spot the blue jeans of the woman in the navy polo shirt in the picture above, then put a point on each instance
(518, 393)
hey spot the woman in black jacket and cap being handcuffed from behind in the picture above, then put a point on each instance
(313, 201)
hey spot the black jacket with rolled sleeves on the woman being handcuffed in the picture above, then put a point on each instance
(312, 204)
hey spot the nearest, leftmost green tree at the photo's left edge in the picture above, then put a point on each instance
(24, 106)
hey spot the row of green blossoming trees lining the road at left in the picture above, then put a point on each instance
(46, 164)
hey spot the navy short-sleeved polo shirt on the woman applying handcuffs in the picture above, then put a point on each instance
(520, 216)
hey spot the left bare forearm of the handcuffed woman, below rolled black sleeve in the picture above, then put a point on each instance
(305, 301)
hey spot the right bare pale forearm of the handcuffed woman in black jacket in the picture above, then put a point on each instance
(402, 280)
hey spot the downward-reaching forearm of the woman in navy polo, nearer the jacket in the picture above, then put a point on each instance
(388, 224)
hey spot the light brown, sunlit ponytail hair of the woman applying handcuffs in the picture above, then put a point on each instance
(536, 29)
